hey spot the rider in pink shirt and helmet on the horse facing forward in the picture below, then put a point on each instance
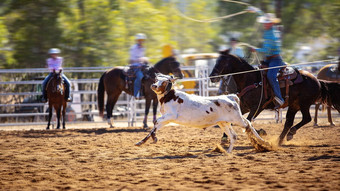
(54, 63)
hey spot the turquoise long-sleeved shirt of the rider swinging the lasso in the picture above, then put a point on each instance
(271, 43)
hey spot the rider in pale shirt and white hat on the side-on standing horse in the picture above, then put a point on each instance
(138, 62)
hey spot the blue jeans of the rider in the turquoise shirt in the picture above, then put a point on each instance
(272, 75)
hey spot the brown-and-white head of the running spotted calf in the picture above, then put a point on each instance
(162, 84)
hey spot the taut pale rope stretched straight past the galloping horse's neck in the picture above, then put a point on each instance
(256, 70)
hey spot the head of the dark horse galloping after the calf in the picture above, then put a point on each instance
(224, 64)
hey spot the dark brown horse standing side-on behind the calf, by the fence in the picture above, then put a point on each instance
(113, 82)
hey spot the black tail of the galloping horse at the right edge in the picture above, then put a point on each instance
(329, 93)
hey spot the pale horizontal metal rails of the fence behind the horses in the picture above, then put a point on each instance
(204, 88)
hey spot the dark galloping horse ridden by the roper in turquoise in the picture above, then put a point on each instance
(301, 95)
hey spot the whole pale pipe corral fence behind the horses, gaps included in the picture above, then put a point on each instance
(20, 91)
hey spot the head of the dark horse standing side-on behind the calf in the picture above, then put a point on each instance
(169, 65)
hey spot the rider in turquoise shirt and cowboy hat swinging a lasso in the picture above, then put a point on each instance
(271, 49)
